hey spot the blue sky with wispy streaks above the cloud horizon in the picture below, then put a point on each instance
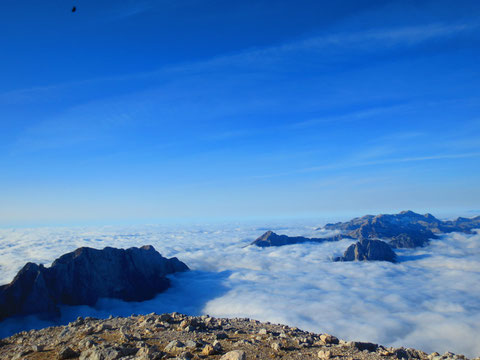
(141, 111)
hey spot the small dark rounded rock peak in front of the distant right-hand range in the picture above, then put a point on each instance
(369, 250)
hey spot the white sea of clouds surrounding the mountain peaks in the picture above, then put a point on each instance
(429, 300)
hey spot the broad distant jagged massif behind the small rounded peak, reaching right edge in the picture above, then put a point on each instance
(404, 230)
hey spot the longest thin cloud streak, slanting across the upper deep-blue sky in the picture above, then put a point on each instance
(406, 36)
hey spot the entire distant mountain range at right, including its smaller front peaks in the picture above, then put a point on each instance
(378, 234)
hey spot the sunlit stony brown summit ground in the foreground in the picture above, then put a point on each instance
(177, 336)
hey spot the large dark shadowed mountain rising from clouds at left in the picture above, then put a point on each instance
(85, 275)
